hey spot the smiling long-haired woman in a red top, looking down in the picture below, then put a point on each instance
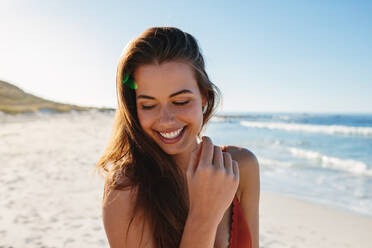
(163, 188)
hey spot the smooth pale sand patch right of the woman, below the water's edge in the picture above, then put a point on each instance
(289, 222)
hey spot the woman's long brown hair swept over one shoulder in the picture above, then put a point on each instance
(161, 187)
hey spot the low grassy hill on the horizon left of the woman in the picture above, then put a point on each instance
(14, 100)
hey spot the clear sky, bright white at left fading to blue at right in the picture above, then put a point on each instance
(278, 56)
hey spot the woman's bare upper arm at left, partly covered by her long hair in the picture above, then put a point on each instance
(122, 227)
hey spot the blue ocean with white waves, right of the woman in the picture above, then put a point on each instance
(321, 158)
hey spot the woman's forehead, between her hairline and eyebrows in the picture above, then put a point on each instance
(164, 79)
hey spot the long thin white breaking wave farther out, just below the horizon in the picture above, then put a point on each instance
(328, 129)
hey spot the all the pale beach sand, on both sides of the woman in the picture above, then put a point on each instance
(50, 198)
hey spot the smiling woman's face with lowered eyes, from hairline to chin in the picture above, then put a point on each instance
(169, 105)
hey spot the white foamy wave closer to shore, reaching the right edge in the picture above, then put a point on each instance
(348, 165)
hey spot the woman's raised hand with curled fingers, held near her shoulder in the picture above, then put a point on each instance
(212, 179)
